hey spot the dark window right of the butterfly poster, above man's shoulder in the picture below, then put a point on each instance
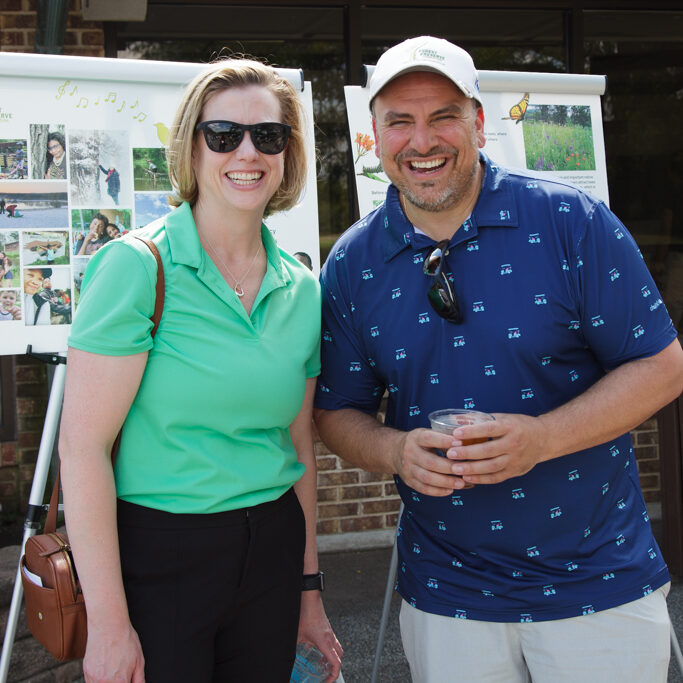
(642, 55)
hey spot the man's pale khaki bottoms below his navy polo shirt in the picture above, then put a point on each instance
(625, 644)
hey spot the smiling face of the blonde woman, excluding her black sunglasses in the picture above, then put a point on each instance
(244, 179)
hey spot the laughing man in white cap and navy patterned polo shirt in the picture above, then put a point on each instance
(479, 287)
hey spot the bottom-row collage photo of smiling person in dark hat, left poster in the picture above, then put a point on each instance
(47, 296)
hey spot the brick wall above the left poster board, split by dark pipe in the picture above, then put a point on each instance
(18, 29)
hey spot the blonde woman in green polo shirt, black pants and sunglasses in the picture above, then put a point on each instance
(216, 459)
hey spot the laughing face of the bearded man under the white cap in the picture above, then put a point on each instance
(428, 136)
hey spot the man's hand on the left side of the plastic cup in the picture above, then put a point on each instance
(421, 468)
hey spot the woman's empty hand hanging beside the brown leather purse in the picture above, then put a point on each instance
(113, 655)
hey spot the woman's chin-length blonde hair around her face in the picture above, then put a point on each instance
(236, 73)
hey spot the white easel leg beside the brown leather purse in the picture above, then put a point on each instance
(35, 507)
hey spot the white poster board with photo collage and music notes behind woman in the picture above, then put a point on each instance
(110, 114)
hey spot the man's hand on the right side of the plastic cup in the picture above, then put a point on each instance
(518, 443)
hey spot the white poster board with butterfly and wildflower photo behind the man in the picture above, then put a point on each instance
(549, 124)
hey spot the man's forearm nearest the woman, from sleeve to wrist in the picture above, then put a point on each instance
(360, 439)
